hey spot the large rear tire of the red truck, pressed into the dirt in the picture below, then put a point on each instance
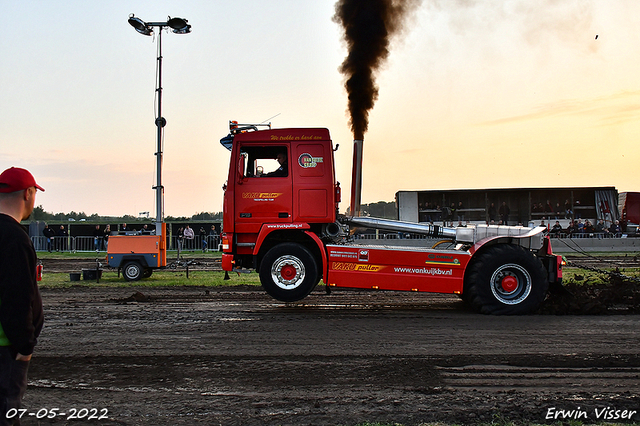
(505, 279)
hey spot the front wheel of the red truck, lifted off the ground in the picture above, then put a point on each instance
(289, 272)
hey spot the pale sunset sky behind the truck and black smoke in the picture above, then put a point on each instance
(474, 94)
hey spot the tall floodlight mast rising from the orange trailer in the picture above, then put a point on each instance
(179, 26)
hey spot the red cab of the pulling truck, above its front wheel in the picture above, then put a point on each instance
(267, 200)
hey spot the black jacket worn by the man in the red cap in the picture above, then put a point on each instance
(21, 314)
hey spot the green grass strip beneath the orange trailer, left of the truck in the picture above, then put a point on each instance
(160, 278)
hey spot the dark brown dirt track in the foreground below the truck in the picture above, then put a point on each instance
(234, 356)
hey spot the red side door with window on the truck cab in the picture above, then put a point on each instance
(263, 191)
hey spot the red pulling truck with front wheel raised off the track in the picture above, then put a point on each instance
(281, 219)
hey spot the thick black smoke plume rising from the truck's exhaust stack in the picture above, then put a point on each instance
(368, 27)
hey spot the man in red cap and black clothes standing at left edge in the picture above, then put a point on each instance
(21, 314)
